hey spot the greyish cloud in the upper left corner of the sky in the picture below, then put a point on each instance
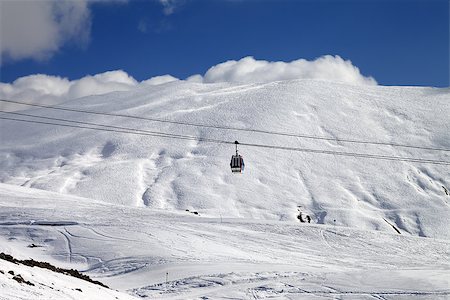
(37, 29)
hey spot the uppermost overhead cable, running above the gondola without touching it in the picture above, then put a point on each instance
(342, 140)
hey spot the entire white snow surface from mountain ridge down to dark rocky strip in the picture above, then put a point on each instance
(120, 207)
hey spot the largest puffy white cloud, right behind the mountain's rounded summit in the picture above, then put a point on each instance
(246, 70)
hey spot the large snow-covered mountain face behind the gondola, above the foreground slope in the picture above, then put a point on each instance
(161, 173)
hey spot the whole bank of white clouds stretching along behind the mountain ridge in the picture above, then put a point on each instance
(47, 89)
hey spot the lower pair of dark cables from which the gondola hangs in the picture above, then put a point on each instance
(173, 136)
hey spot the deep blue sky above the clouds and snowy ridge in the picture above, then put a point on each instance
(397, 42)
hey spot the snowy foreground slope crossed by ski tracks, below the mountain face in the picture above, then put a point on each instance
(134, 249)
